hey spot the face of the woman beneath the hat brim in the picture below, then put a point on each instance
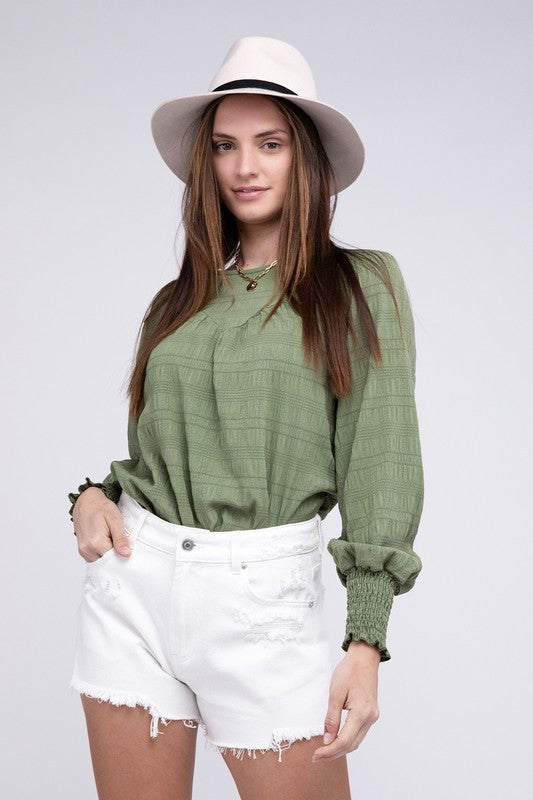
(252, 151)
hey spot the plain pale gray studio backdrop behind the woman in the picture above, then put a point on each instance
(441, 94)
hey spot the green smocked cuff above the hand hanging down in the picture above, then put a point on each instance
(369, 602)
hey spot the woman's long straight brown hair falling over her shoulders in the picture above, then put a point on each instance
(314, 274)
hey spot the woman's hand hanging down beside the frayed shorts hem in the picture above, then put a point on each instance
(354, 686)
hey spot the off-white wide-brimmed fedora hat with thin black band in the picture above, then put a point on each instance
(260, 65)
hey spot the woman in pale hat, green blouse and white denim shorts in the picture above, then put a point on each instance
(274, 378)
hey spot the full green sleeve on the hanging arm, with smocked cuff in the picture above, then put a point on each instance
(378, 464)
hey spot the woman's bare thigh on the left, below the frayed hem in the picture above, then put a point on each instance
(129, 764)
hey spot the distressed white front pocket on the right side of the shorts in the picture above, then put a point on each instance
(292, 580)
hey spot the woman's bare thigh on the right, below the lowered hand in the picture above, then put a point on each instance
(295, 778)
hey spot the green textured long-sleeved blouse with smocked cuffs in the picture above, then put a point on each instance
(238, 432)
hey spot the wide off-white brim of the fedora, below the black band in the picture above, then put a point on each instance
(174, 125)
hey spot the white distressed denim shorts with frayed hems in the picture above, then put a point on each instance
(224, 630)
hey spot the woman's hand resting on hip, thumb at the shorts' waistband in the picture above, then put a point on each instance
(99, 525)
